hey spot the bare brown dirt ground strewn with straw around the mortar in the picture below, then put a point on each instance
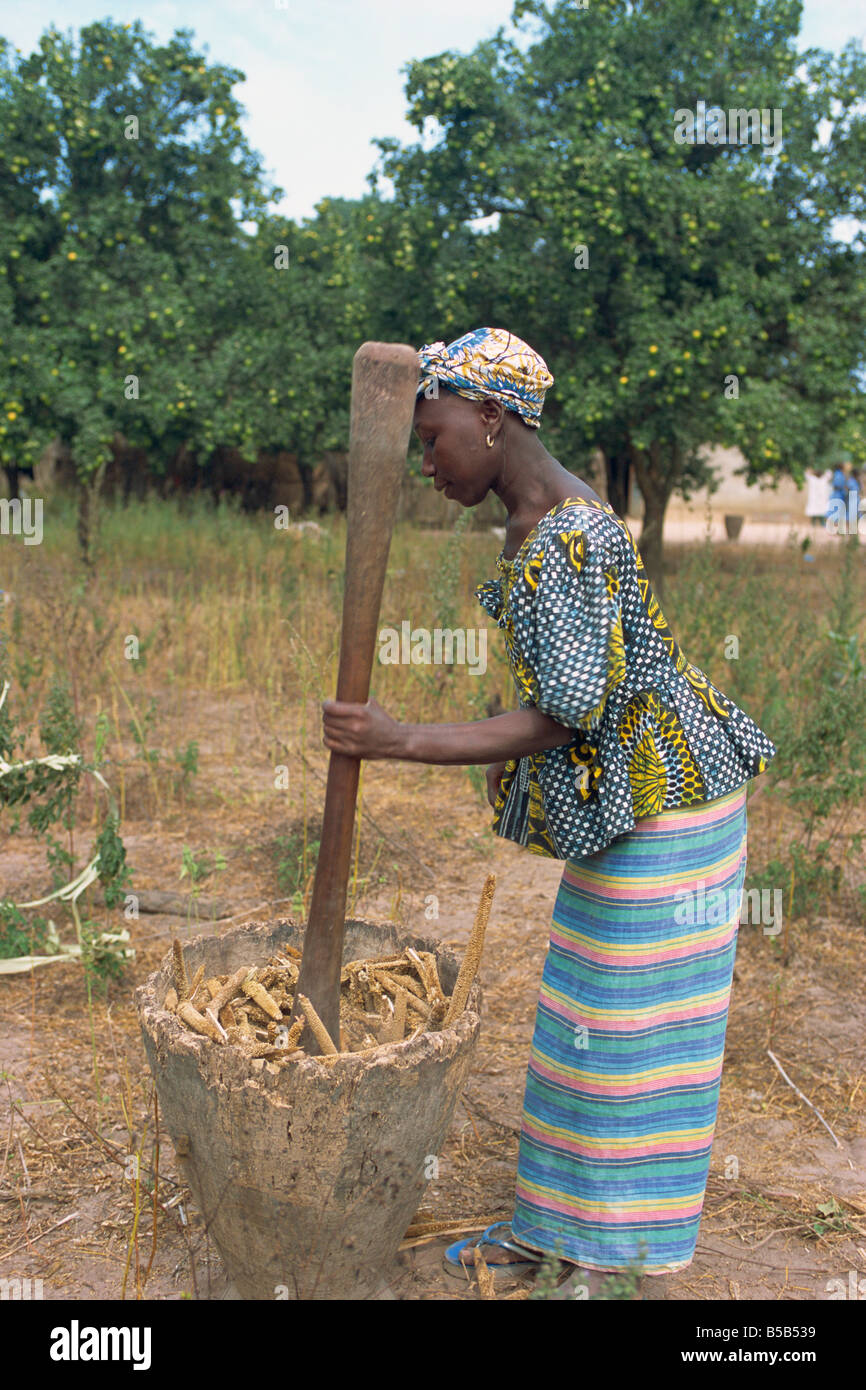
(786, 1206)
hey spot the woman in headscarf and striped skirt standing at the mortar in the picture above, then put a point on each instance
(629, 765)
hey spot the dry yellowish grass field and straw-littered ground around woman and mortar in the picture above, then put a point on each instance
(238, 630)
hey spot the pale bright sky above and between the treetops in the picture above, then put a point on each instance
(323, 77)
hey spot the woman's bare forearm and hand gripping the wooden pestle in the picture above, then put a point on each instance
(369, 732)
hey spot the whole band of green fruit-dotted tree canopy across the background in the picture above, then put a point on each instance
(686, 291)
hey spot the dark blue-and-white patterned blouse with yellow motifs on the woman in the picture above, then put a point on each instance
(589, 646)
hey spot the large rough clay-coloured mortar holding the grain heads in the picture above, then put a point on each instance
(307, 1175)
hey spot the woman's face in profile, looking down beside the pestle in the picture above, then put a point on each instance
(452, 432)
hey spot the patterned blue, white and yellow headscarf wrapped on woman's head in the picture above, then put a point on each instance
(490, 362)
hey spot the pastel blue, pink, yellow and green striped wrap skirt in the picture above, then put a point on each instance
(623, 1082)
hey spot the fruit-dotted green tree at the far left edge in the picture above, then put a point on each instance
(126, 177)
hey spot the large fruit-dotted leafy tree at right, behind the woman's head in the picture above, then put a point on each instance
(714, 305)
